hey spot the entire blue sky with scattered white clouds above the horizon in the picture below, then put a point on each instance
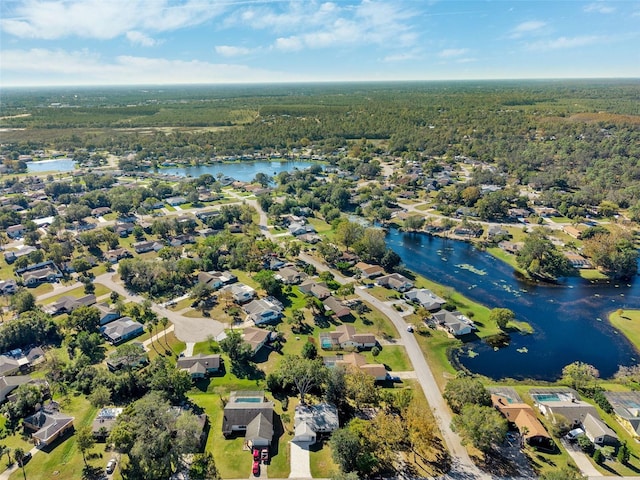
(103, 42)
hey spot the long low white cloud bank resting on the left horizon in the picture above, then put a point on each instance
(82, 67)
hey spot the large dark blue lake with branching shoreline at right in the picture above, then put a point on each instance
(569, 319)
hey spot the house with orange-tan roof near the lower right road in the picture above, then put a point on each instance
(524, 418)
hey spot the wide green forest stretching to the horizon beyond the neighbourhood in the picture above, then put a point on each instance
(556, 136)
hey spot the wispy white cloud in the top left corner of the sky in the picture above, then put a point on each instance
(100, 19)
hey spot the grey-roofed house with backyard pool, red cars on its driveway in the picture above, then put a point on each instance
(249, 412)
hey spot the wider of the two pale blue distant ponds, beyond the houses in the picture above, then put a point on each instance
(244, 171)
